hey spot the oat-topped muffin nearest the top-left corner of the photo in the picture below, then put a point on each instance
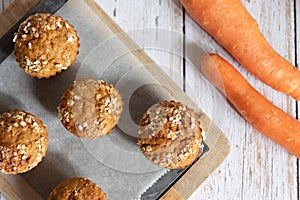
(45, 45)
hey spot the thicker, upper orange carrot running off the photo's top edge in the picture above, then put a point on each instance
(233, 27)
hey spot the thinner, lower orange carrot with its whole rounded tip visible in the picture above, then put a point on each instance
(255, 108)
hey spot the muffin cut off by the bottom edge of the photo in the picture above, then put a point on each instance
(77, 189)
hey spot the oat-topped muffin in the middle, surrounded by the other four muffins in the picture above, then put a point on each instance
(90, 108)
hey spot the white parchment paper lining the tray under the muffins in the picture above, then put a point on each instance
(114, 162)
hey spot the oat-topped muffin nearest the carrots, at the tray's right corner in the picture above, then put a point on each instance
(169, 135)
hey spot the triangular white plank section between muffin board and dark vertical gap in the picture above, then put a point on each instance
(134, 16)
